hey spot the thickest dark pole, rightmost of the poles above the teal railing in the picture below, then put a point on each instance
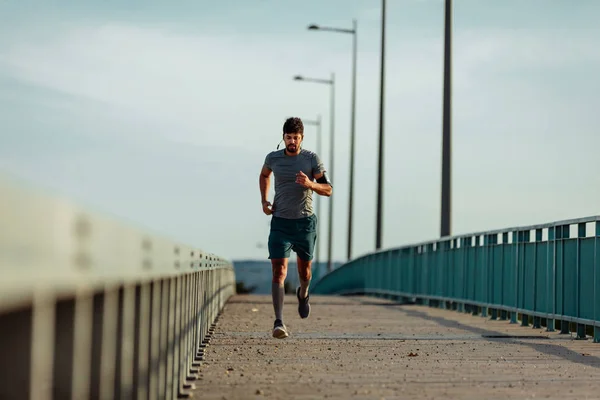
(445, 225)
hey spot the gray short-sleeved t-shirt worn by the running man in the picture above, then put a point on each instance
(293, 200)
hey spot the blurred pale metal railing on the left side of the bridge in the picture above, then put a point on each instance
(93, 309)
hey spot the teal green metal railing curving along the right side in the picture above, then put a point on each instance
(545, 274)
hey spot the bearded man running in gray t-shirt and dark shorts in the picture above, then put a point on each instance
(298, 173)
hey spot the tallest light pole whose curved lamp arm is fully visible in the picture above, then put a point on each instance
(352, 31)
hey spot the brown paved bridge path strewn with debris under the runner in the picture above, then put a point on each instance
(365, 348)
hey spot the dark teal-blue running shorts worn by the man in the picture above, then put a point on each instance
(299, 235)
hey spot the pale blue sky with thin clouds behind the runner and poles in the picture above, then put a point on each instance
(160, 114)
